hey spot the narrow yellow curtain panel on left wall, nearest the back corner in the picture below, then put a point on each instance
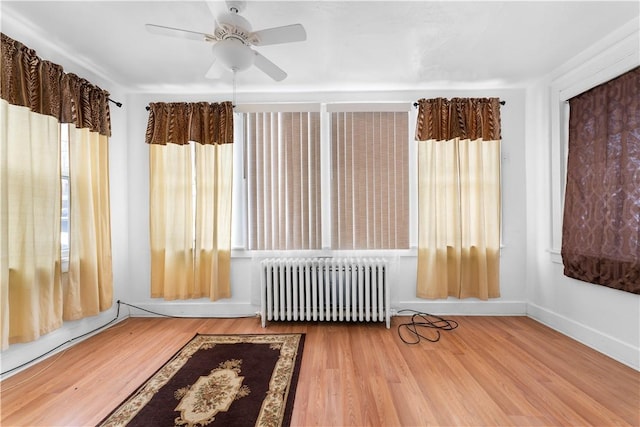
(88, 284)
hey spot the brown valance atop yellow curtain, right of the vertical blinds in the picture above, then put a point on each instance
(467, 118)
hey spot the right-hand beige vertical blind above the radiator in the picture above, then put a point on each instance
(369, 193)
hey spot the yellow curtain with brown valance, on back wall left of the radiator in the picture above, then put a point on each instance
(190, 233)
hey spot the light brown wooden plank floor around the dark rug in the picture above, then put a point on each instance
(491, 371)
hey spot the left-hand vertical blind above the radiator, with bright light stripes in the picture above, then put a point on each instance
(283, 180)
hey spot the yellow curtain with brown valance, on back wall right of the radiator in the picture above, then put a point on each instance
(458, 198)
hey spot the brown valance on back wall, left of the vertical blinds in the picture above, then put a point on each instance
(181, 122)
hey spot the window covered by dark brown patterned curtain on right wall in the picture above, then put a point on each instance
(601, 226)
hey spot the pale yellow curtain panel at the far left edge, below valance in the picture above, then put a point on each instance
(30, 224)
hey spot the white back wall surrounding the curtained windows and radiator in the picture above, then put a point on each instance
(244, 269)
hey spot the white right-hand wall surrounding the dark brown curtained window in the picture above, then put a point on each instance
(603, 318)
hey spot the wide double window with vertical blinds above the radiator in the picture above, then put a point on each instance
(318, 180)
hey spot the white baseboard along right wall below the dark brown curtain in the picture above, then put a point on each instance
(605, 344)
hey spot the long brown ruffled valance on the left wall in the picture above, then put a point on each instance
(45, 88)
